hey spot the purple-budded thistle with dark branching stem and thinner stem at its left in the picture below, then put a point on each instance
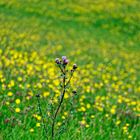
(64, 85)
